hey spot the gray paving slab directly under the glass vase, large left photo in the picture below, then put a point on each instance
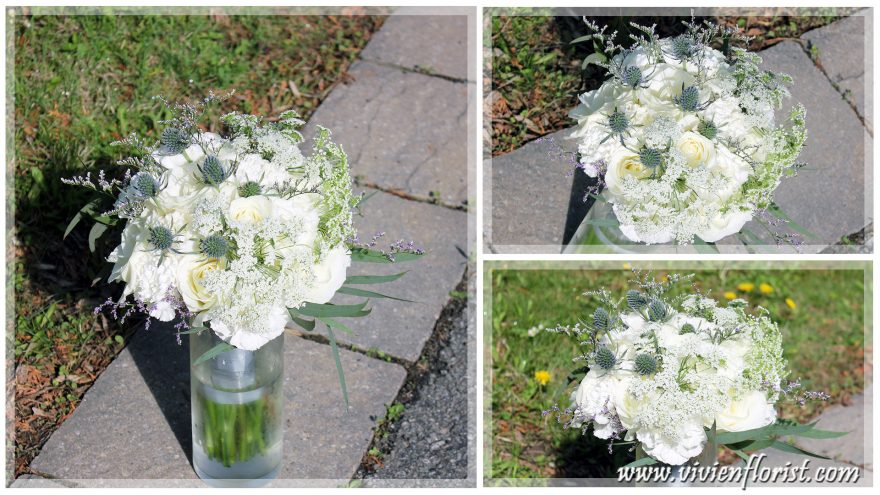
(134, 423)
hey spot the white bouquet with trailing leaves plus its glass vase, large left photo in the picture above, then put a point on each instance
(236, 237)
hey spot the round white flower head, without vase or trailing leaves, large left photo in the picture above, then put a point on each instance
(233, 231)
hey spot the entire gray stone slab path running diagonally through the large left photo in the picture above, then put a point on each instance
(405, 133)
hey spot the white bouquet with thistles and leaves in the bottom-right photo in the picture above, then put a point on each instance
(678, 375)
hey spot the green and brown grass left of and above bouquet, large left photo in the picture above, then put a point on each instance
(82, 82)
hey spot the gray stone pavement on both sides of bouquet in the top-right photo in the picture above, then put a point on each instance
(832, 197)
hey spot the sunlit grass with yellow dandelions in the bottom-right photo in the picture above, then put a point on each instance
(823, 337)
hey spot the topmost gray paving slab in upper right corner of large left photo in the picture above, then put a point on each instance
(436, 44)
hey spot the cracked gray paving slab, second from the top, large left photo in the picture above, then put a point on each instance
(401, 130)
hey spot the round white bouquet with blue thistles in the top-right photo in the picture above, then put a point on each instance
(683, 137)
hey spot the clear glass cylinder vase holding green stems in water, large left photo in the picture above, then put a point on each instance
(237, 412)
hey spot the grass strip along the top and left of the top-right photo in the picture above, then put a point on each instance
(536, 72)
